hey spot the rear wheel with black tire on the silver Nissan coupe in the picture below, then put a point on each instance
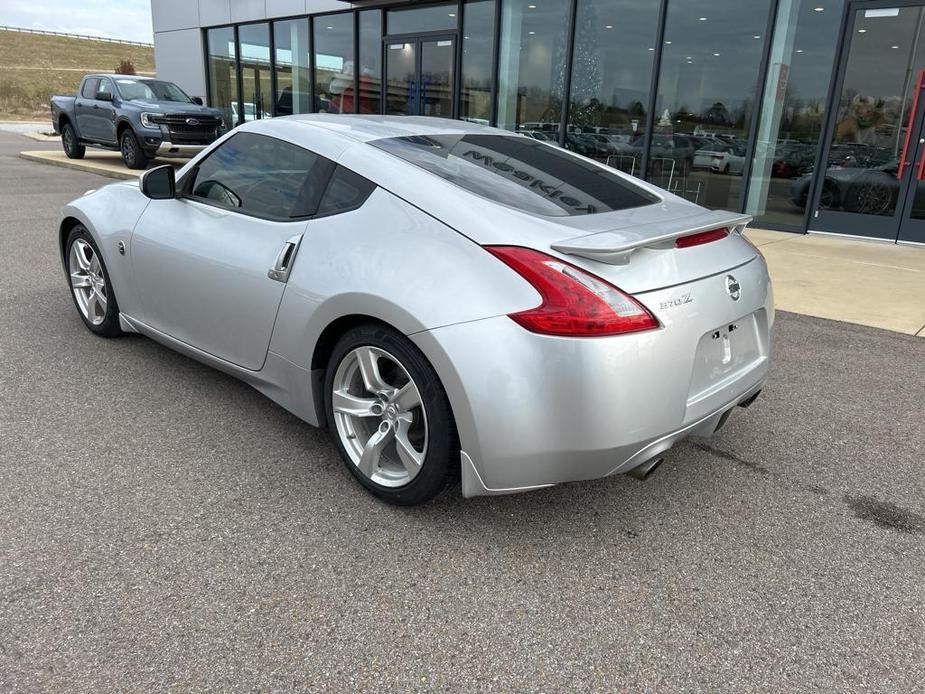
(421, 417)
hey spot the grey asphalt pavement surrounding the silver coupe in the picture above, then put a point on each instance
(165, 527)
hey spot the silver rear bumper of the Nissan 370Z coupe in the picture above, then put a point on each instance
(533, 411)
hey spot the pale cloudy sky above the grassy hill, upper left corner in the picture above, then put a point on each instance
(118, 19)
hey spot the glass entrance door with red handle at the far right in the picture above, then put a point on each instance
(870, 180)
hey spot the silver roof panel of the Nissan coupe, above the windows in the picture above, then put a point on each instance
(363, 128)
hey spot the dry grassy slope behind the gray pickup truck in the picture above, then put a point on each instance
(35, 66)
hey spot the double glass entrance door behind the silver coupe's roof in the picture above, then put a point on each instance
(420, 74)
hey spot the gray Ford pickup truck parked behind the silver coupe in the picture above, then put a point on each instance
(140, 117)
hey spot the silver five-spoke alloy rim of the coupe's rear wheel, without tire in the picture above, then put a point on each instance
(379, 416)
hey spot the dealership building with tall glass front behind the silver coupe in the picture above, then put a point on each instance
(803, 113)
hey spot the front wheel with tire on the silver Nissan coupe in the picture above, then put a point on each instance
(91, 288)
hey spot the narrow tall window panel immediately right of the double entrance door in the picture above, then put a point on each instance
(478, 36)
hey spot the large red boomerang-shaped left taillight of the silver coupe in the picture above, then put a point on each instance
(574, 303)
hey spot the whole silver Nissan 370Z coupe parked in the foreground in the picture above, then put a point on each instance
(450, 300)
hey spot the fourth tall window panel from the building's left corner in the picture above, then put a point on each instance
(334, 63)
